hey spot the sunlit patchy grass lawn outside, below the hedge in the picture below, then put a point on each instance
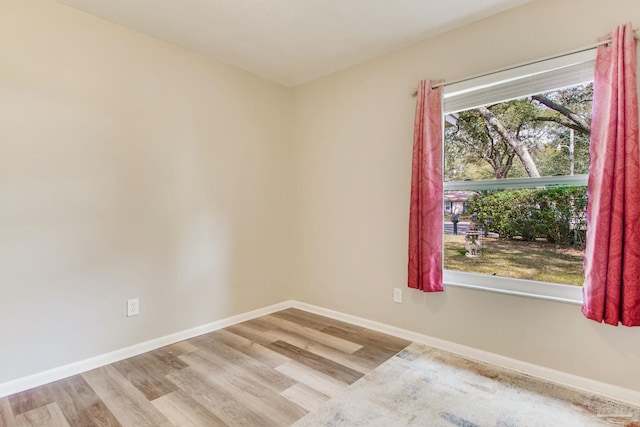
(541, 261)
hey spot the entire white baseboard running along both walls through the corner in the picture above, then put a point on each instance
(562, 378)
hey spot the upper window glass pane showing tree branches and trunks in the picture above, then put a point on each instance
(541, 135)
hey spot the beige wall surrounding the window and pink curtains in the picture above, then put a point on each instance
(353, 133)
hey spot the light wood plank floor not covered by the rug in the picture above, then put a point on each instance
(269, 371)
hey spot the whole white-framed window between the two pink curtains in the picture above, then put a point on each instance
(516, 161)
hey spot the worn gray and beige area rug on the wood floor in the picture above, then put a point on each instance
(423, 386)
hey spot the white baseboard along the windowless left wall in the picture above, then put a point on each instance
(41, 378)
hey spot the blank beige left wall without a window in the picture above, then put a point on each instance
(129, 168)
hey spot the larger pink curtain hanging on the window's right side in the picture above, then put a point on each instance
(612, 259)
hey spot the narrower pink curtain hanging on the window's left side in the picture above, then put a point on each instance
(425, 216)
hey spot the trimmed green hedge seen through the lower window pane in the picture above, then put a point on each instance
(555, 214)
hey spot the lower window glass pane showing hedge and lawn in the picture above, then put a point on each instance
(534, 234)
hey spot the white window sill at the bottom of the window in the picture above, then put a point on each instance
(525, 288)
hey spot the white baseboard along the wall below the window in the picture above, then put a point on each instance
(621, 394)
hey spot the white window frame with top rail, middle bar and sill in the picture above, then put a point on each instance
(530, 79)
